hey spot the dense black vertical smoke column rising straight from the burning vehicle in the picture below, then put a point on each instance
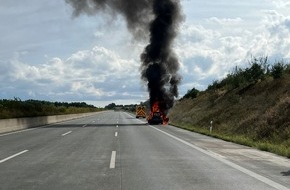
(159, 63)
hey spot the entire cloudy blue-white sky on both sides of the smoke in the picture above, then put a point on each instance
(48, 54)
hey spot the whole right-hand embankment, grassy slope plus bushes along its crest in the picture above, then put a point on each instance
(250, 106)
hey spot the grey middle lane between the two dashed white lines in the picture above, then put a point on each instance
(78, 161)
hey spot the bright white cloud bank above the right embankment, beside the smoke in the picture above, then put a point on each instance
(208, 52)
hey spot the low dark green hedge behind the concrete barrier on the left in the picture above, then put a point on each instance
(15, 108)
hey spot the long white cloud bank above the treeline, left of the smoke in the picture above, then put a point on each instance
(94, 74)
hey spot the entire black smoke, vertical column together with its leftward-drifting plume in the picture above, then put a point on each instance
(159, 63)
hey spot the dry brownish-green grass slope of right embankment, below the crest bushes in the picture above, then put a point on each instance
(257, 115)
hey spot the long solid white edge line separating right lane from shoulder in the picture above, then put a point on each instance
(227, 162)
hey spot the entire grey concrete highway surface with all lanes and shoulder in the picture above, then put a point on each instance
(114, 150)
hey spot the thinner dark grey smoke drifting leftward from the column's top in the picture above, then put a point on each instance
(136, 12)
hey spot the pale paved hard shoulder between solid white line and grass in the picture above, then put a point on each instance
(263, 163)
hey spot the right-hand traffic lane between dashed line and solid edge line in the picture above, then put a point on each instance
(155, 161)
